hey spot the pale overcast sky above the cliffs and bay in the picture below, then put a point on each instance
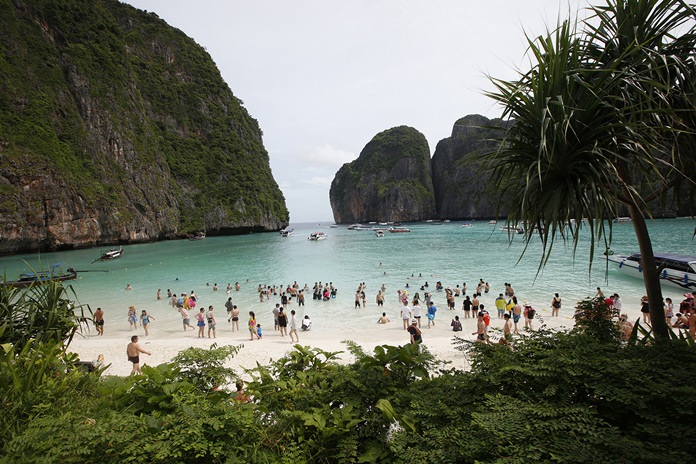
(323, 77)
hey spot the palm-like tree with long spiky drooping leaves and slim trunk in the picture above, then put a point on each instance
(604, 118)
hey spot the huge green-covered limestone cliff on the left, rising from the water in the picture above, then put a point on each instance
(115, 127)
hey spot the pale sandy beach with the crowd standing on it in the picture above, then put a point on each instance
(167, 338)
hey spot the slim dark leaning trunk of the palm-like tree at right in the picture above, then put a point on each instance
(651, 276)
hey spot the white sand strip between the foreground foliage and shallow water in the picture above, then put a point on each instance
(165, 344)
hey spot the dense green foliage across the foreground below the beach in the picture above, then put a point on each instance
(578, 396)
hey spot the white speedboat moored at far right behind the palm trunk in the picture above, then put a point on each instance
(675, 270)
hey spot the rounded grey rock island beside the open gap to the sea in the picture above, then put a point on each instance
(390, 180)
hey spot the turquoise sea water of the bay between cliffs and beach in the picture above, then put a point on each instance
(453, 253)
